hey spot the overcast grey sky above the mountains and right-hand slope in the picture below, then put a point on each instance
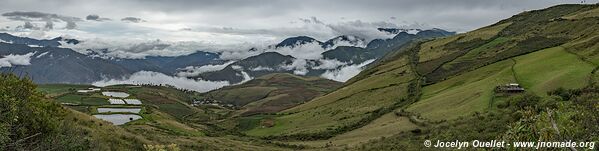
(214, 23)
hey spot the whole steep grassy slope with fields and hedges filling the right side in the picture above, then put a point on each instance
(452, 77)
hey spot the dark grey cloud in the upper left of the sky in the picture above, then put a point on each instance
(28, 17)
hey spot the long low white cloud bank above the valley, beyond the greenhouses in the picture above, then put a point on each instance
(150, 77)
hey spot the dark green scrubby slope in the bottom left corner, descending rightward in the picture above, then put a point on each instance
(28, 121)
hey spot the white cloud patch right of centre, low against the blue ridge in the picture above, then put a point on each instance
(345, 73)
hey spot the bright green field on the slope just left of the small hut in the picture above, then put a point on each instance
(464, 94)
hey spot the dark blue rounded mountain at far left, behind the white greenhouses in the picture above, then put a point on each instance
(61, 65)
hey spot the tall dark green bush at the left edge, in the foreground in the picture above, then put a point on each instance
(28, 121)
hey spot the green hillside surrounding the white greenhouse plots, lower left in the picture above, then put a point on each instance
(168, 119)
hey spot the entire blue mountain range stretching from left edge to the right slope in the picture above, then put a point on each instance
(51, 59)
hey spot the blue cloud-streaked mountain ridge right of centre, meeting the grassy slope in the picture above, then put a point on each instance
(350, 55)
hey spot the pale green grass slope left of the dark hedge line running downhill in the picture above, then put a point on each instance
(343, 107)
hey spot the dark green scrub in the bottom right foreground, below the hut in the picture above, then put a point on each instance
(517, 118)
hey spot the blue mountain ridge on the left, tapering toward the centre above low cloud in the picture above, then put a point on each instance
(50, 63)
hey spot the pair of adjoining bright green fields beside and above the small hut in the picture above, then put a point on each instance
(538, 72)
